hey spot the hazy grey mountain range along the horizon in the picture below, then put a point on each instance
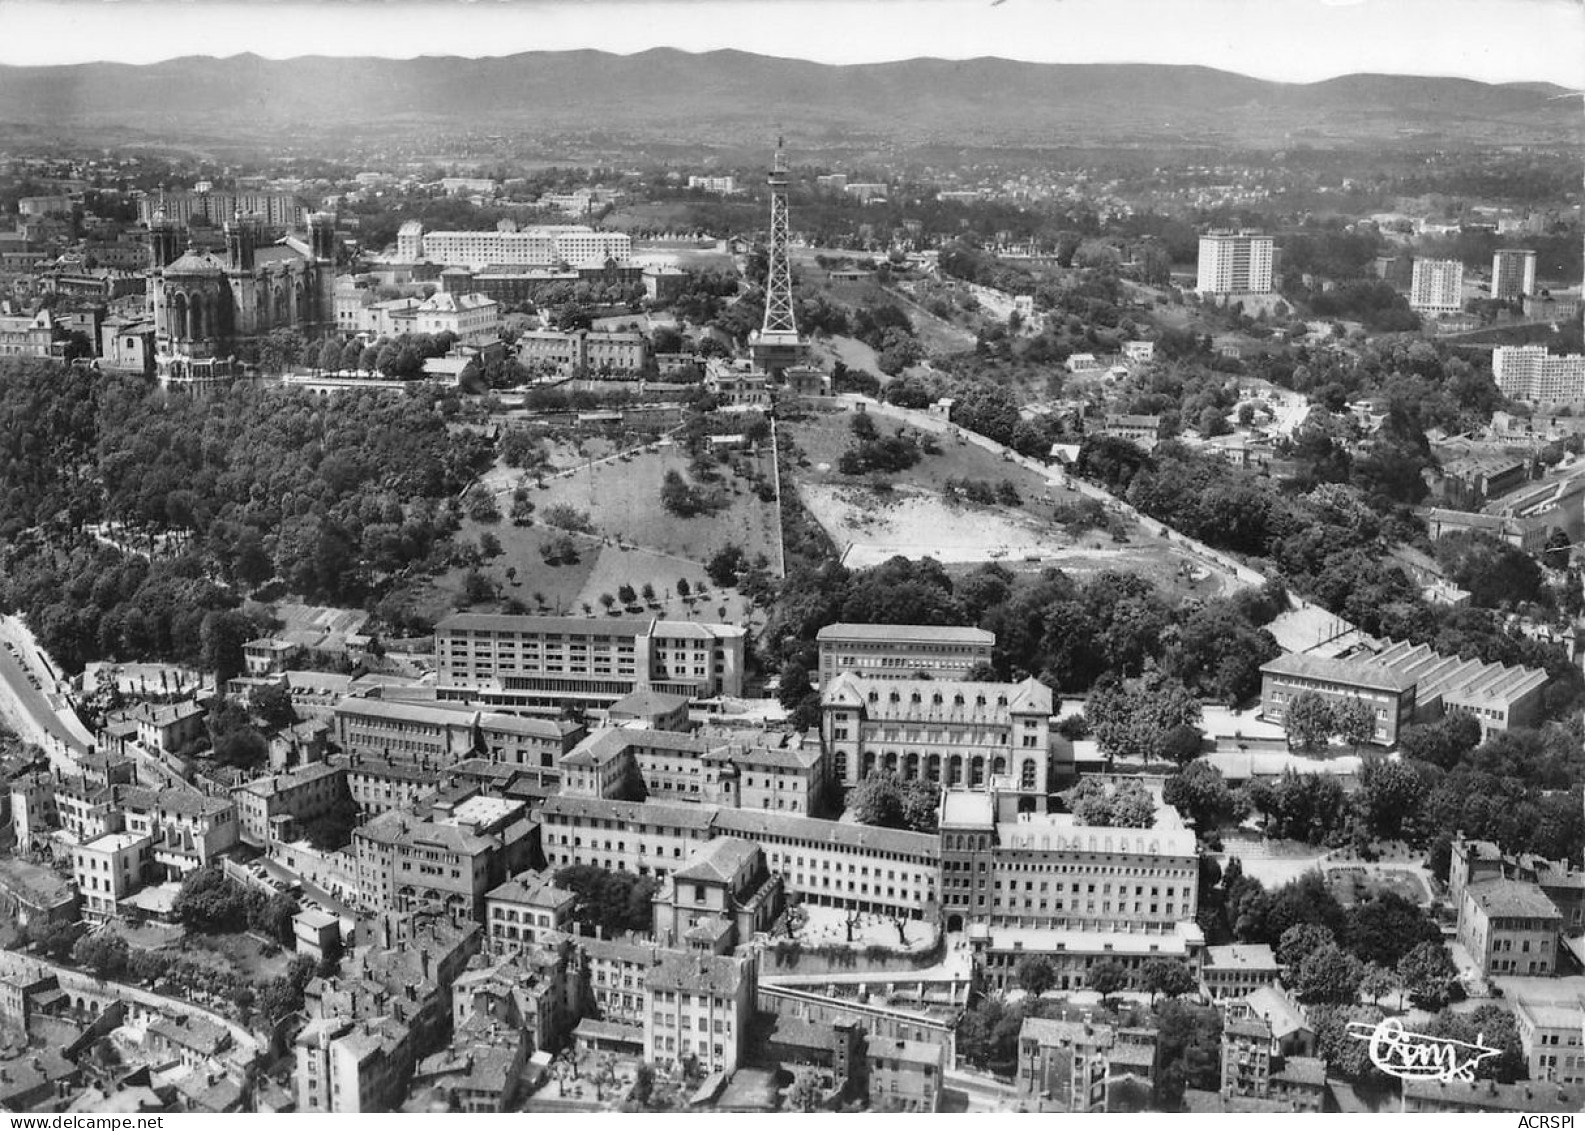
(731, 99)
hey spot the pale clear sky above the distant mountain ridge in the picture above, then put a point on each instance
(1286, 40)
